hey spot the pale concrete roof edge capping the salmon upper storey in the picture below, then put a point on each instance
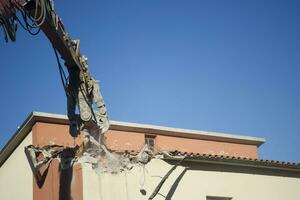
(34, 117)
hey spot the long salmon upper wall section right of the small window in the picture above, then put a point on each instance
(169, 143)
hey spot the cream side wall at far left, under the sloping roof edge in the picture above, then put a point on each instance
(16, 176)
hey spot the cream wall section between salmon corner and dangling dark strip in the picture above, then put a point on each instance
(135, 184)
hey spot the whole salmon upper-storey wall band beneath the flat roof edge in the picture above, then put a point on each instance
(46, 133)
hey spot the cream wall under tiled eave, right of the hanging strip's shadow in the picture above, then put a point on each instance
(245, 185)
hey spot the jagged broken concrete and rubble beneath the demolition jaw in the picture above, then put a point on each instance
(92, 151)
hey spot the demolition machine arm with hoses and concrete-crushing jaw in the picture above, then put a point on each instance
(81, 89)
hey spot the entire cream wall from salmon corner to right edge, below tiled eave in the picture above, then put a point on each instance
(196, 183)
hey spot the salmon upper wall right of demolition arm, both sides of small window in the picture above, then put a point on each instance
(123, 140)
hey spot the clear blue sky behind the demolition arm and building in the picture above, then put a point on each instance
(227, 66)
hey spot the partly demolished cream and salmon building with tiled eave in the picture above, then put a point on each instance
(187, 164)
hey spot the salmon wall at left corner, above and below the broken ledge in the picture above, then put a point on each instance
(58, 184)
